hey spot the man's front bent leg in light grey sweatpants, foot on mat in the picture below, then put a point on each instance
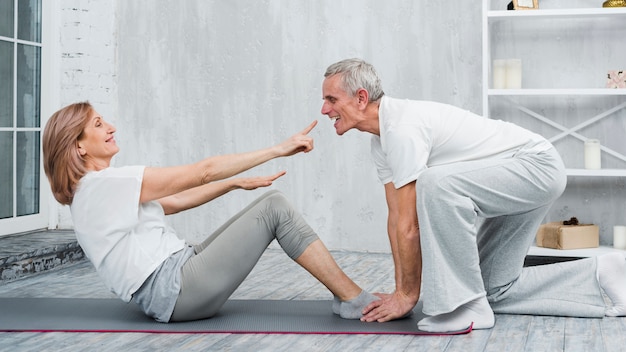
(450, 200)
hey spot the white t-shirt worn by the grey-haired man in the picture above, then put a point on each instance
(416, 135)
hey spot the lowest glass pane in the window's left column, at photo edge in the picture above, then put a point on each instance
(6, 174)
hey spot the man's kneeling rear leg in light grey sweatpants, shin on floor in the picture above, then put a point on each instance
(564, 289)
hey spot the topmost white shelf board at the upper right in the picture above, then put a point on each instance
(561, 13)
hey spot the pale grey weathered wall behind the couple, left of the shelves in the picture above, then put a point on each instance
(188, 79)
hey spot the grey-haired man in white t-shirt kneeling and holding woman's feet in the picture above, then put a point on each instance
(465, 195)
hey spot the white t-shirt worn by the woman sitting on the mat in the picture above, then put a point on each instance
(125, 240)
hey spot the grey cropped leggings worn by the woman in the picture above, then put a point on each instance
(226, 257)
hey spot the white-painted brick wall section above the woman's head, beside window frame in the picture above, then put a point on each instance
(85, 45)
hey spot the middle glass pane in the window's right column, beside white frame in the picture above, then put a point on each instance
(28, 85)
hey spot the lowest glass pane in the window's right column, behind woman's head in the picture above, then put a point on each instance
(27, 176)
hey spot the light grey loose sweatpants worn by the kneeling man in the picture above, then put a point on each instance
(477, 221)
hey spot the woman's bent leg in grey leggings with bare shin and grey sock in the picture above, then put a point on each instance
(225, 259)
